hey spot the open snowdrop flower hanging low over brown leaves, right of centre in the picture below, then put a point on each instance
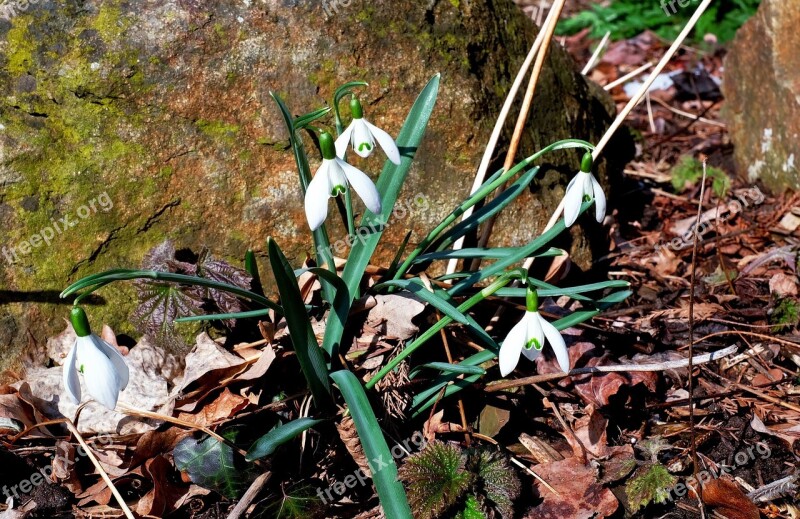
(527, 338)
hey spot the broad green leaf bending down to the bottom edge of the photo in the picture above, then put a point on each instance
(384, 470)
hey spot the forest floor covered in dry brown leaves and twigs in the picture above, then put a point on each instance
(608, 444)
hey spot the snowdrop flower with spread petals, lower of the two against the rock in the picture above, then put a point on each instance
(332, 178)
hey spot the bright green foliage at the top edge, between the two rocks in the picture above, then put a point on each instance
(627, 18)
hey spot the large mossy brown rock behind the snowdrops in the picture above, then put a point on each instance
(138, 120)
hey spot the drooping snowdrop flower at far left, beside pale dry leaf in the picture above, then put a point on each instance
(104, 370)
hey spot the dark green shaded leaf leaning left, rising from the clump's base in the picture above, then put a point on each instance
(309, 354)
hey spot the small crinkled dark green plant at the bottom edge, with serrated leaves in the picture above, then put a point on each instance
(446, 481)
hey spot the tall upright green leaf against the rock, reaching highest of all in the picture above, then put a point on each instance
(389, 185)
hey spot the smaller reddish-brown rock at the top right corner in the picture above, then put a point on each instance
(762, 91)
